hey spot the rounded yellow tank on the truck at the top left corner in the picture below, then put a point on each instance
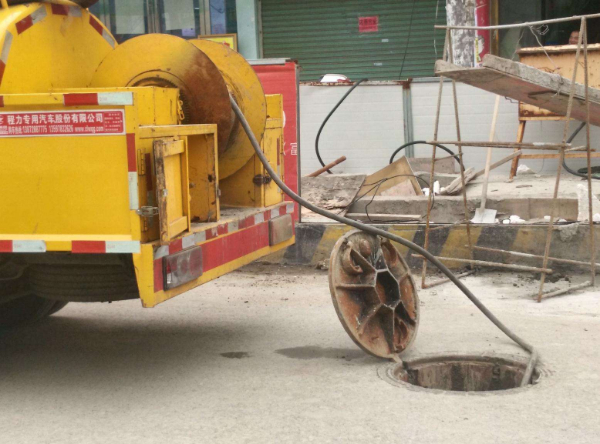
(46, 46)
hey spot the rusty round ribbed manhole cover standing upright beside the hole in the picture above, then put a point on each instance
(374, 294)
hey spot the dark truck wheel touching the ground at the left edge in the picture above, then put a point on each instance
(24, 311)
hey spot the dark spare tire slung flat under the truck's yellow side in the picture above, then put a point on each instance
(83, 283)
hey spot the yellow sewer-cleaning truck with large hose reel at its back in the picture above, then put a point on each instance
(124, 173)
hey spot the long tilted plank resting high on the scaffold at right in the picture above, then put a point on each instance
(526, 84)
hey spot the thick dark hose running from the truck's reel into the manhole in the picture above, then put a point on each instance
(378, 232)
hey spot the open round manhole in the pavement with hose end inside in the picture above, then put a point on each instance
(460, 373)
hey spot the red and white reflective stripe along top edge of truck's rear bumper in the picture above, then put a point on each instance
(221, 230)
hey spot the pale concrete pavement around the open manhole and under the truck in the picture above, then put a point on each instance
(260, 356)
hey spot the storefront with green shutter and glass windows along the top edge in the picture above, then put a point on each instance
(376, 39)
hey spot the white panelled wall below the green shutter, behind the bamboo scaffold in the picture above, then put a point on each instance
(369, 126)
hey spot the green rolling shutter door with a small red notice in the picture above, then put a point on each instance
(325, 36)
